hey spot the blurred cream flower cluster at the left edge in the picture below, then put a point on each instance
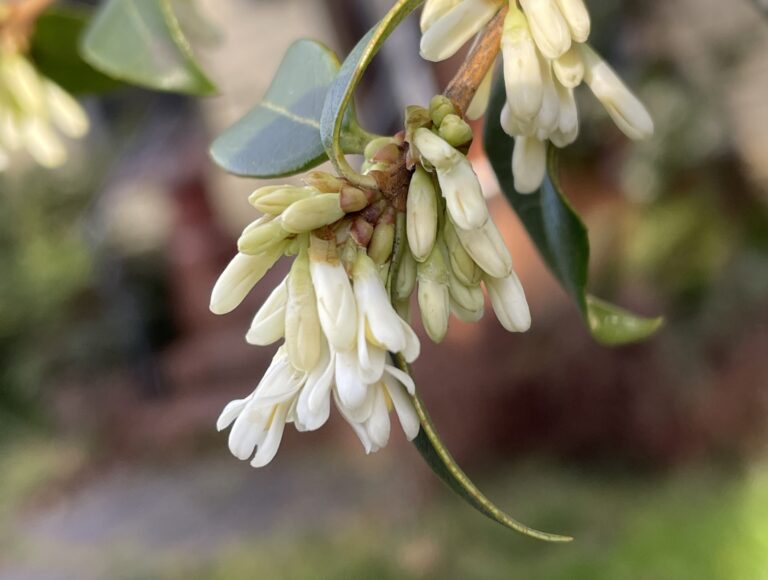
(32, 109)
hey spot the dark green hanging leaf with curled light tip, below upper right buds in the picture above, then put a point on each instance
(560, 236)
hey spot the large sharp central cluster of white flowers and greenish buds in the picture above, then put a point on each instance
(334, 310)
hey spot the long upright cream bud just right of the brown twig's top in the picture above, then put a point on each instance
(522, 71)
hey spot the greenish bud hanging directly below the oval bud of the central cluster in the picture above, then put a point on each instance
(434, 296)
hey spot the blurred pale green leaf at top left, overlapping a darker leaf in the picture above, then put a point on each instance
(141, 42)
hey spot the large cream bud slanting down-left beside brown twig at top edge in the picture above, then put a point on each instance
(447, 35)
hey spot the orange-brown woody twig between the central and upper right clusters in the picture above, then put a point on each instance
(476, 65)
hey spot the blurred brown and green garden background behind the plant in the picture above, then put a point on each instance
(113, 372)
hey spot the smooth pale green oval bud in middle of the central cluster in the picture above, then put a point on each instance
(421, 212)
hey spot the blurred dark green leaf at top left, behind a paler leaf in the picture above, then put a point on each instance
(54, 50)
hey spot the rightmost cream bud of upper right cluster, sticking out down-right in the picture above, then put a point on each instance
(622, 105)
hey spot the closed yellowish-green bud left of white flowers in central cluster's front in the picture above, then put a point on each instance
(302, 325)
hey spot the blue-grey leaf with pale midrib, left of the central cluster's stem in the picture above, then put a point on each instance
(281, 135)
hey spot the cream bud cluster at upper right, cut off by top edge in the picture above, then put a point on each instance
(545, 57)
